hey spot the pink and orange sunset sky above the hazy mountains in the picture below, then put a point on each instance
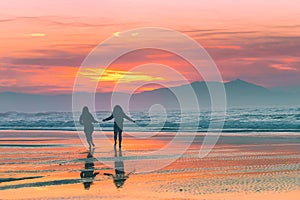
(43, 43)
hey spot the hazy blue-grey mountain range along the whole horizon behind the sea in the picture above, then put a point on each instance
(238, 92)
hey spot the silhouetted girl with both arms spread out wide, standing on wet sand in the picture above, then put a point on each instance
(119, 115)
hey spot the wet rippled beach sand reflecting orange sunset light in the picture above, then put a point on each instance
(48, 164)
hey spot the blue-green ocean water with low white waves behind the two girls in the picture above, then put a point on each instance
(273, 119)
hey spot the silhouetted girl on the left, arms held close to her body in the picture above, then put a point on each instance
(86, 119)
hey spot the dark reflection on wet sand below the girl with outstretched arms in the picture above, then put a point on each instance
(120, 177)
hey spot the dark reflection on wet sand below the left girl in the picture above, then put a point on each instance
(88, 174)
